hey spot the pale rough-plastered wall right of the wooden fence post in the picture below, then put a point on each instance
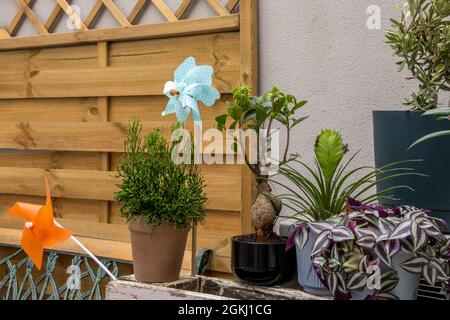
(323, 52)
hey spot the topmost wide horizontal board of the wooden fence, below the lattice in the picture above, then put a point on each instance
(135, 69)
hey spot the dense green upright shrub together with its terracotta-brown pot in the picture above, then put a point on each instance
(160, 200)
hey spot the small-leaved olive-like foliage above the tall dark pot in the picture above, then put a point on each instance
(421, 39)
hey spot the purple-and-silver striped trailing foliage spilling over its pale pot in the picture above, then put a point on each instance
(369, 235)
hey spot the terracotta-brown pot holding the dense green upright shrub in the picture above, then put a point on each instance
(157, 252)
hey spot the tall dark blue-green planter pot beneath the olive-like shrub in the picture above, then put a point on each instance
(394, 132)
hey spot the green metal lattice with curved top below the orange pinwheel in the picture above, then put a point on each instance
(23, 282)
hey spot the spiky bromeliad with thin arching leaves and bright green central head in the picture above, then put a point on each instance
(318, 192)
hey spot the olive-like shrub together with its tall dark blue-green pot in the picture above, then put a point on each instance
(421, 40)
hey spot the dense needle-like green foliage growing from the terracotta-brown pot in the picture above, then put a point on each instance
(153, 188)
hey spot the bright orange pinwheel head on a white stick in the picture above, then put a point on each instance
(40, 231)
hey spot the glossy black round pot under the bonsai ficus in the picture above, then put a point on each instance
(262, 264)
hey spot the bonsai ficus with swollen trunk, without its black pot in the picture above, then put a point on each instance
(261, 115)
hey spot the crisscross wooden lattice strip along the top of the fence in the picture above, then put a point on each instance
(25, 10)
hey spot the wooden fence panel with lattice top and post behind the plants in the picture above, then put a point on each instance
(66, 98)
